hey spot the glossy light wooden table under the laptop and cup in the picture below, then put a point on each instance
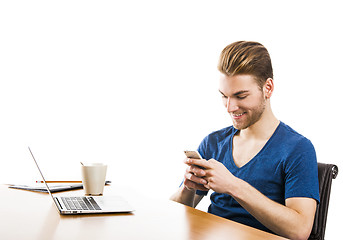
(30, 215)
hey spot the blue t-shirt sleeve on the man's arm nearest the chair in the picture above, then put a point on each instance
(301, 172)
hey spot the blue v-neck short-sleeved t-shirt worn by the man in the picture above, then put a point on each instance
(285, 167)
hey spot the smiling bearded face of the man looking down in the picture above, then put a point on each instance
(243, 99)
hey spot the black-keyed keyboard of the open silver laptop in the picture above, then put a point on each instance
(80, 203)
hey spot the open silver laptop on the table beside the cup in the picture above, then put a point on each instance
(87, 204)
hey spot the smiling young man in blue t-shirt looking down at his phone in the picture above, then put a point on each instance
(262, 172)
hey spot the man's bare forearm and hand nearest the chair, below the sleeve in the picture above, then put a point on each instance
(294, 220)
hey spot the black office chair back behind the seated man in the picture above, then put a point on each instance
(326, 172)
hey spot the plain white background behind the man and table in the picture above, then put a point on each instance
(134, 83)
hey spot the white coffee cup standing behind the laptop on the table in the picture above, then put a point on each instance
(93, 178)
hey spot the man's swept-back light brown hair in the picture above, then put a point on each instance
(245, 57)
